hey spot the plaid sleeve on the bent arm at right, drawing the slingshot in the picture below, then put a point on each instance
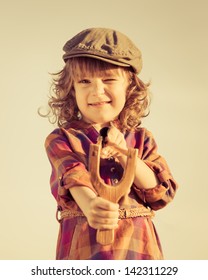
(164, 192)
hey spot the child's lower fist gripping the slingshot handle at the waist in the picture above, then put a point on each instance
(102, 214)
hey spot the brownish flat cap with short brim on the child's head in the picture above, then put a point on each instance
(105, 44)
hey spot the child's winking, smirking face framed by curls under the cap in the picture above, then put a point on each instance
(100, 99)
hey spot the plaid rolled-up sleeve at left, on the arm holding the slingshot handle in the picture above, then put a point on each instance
(68, 168)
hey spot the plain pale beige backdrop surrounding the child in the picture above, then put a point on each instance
(173, 38)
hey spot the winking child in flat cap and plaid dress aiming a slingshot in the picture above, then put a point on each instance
(98, 88)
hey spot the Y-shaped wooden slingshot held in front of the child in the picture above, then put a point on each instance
(111, 193)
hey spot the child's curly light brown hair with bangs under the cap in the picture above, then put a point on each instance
(62, 102)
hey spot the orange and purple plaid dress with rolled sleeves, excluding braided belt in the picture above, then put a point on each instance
(135, 238)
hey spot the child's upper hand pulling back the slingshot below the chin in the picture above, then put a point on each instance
(115, 144)
